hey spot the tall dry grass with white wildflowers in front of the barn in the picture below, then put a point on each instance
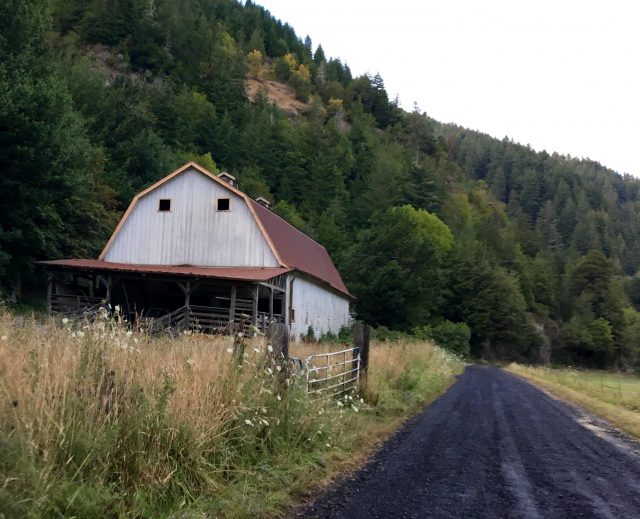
(97, 421)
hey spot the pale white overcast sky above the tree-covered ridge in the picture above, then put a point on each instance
(559, 75)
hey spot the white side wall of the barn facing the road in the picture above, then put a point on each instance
(316, 306)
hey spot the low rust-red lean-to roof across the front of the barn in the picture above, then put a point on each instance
(232, 273)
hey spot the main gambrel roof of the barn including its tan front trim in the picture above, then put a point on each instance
(293, 249)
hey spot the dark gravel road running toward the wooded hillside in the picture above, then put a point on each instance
(494, 446)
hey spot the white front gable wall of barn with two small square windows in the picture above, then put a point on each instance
(193, 232)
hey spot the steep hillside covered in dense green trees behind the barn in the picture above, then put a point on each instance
(438, 231)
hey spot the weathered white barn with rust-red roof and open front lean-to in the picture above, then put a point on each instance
(193, 250)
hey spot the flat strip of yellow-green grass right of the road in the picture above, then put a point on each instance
(614, 396)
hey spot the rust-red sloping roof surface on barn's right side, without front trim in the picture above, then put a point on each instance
(297, 250)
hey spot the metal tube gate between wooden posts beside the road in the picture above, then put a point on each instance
(332, 374)
